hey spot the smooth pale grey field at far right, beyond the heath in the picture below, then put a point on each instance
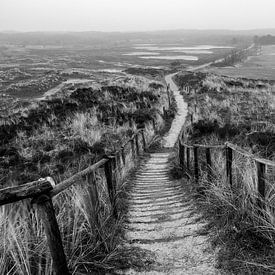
(261, 66)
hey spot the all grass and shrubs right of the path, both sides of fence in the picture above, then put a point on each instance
(240, 111)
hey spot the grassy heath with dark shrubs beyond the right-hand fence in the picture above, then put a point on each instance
(236, 110)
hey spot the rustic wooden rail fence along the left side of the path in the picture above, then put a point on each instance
(44, 190)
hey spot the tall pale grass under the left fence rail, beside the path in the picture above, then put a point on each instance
(90, 234)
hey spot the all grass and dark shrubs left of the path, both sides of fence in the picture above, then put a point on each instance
(57, 138)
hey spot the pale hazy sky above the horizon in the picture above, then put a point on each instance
(135, 15)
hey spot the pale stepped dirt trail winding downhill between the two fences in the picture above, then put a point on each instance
(162, 218)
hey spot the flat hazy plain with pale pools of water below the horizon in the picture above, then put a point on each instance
(33, 64)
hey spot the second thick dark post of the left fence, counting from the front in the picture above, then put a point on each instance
(109, 168)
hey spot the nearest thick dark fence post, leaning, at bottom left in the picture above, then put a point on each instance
(46, 212)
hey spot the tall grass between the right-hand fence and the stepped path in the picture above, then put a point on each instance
(242, 232)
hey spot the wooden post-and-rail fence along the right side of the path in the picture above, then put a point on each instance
(192, 160)
